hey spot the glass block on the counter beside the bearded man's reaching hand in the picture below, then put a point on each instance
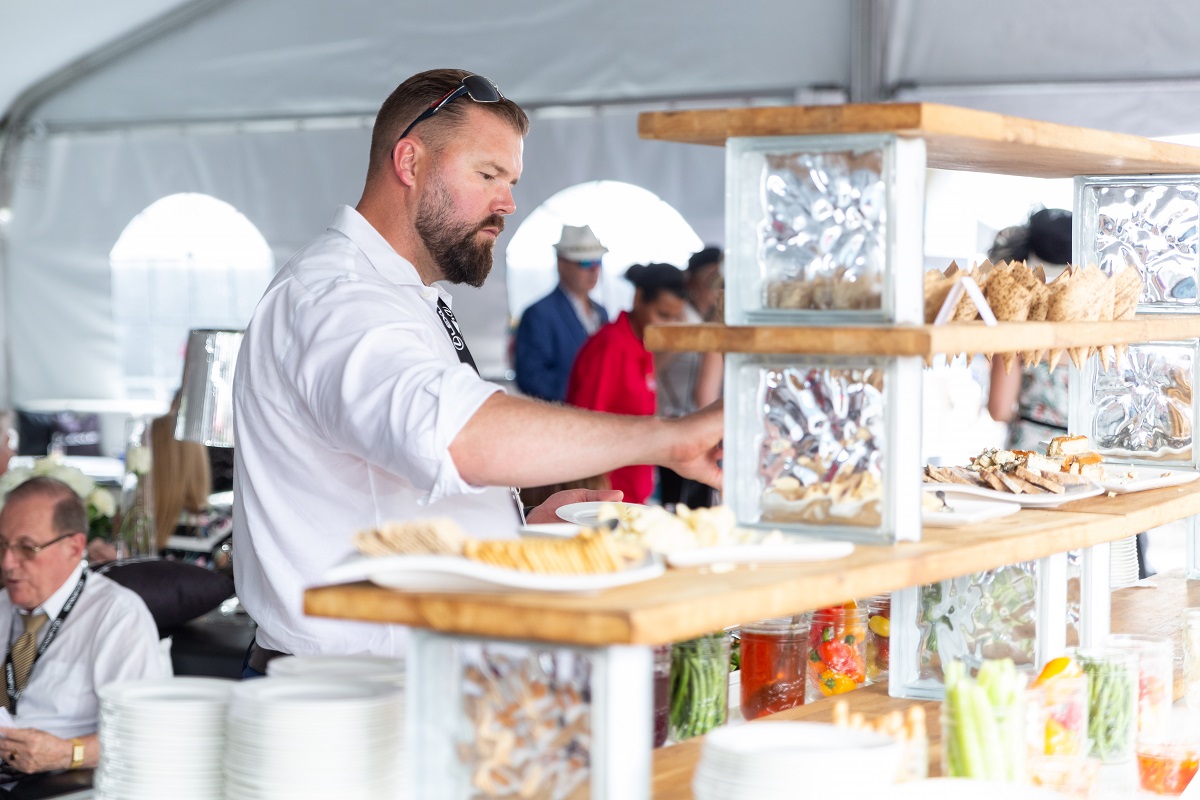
(817, 446)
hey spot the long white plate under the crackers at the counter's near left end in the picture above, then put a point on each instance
(454, 574)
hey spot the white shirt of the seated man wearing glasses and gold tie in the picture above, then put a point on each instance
(109, 637)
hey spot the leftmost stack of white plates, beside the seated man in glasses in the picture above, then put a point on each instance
(163, 739)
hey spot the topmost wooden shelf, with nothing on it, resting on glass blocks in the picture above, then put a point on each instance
(956, 139)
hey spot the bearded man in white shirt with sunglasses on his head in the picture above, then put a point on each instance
(356, 399)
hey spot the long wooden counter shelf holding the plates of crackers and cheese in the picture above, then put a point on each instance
(685, 604)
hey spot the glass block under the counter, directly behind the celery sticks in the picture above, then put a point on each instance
(991, 615)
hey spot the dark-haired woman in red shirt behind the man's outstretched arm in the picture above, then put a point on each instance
(615, 372)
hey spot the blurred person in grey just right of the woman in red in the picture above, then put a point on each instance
(682, 387)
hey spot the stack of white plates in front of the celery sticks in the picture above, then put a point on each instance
(770, 761)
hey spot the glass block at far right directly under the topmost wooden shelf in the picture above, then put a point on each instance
(1147, 222)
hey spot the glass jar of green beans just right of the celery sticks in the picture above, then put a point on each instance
(1112, 702)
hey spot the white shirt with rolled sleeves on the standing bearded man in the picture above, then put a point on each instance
(347, 396)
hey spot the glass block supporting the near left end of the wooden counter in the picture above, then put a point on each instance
(494, 720)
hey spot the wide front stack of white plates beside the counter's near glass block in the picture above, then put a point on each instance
(297, 738)
